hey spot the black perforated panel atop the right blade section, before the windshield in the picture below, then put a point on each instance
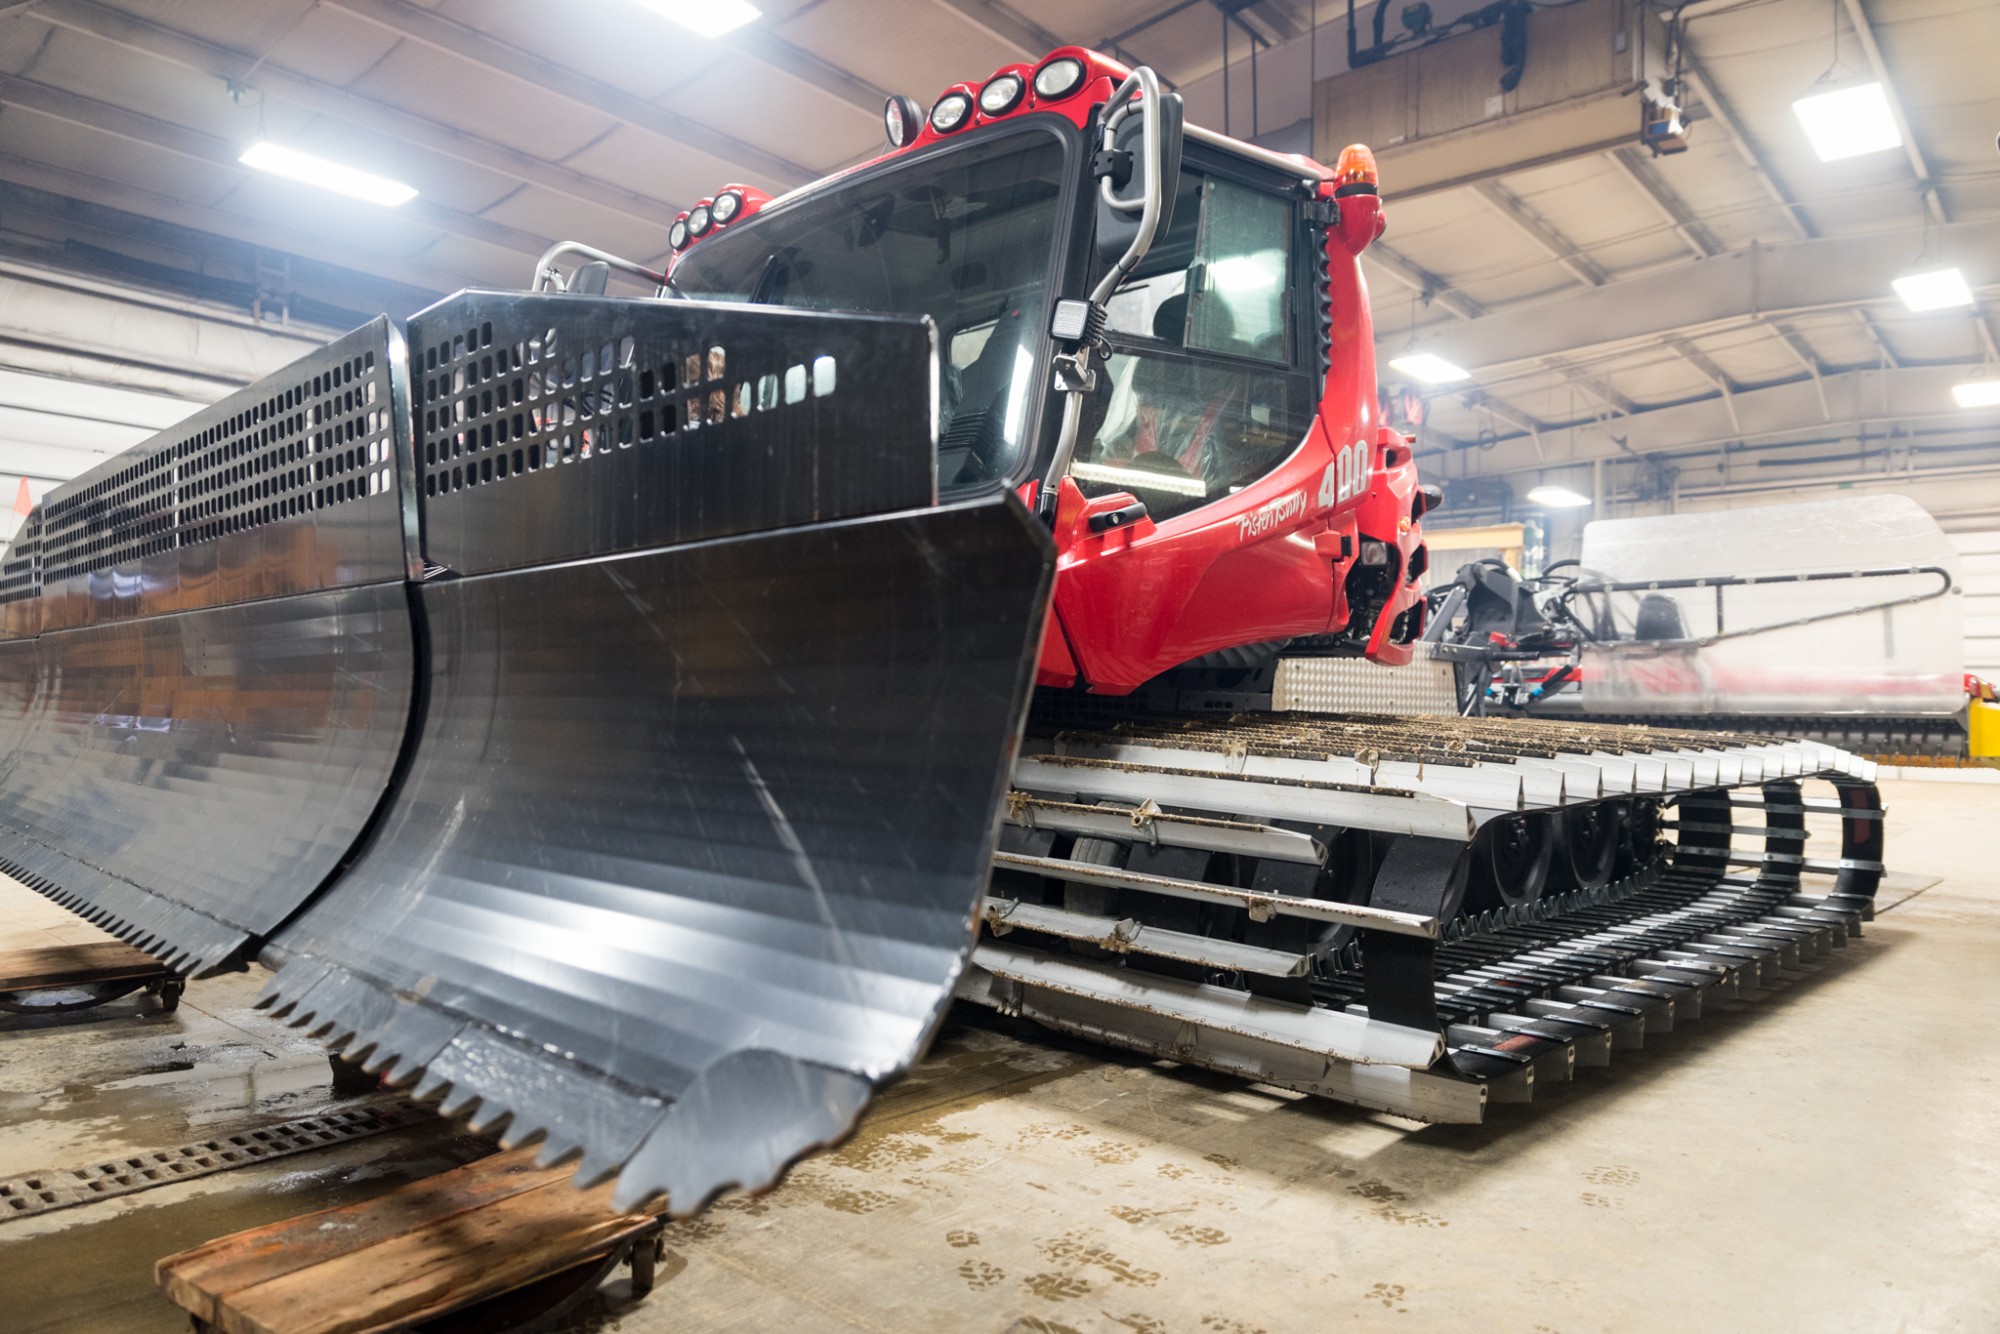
(555, 429)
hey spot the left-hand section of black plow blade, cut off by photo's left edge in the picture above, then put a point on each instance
(209, 663)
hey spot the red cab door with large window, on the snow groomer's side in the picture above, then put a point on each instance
(1209, 421)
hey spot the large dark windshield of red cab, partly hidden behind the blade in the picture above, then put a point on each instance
(965, 239)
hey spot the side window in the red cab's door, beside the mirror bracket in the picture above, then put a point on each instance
(1205, 391)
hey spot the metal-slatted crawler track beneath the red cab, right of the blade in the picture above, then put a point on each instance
(1411, 915)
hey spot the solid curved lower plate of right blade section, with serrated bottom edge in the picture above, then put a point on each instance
(689, 855)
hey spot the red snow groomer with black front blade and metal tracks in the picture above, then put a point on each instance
(601, 713)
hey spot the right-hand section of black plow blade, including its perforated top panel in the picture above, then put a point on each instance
(719, 717)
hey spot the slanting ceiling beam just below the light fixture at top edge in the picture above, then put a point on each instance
(475, 47)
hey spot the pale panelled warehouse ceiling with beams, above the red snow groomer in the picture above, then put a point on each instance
(1607, 303)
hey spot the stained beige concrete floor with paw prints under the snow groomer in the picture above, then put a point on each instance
(1819, 1161)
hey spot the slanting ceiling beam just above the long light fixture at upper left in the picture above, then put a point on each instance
(181, 49)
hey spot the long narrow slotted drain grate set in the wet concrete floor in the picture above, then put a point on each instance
(41, 1193)
